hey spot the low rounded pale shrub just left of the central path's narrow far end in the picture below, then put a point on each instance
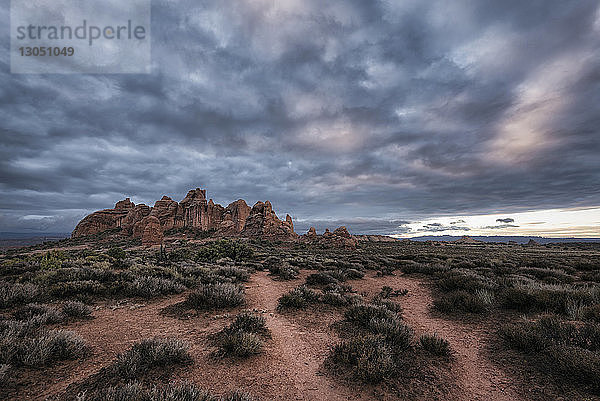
(216, 296)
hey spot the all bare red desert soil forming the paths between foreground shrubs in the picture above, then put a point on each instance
(291, 366)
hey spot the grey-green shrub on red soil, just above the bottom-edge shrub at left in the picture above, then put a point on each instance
(149, 354)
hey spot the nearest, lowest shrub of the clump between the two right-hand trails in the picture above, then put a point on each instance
(370, 357)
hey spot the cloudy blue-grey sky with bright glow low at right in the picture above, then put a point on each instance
(391, 117)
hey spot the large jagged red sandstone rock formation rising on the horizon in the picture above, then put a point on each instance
(194, 211)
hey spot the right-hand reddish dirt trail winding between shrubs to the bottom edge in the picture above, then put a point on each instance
(478, 378)
